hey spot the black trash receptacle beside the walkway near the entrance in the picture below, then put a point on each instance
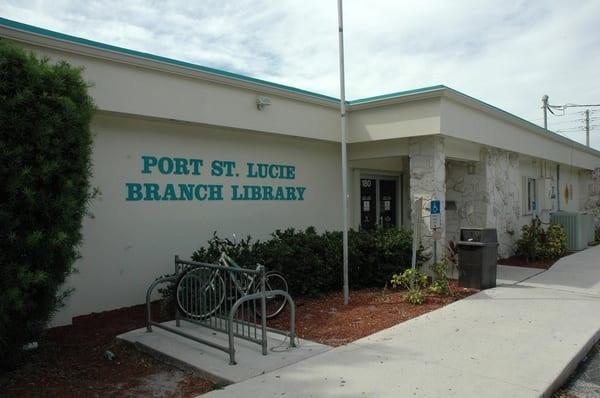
(477, 257)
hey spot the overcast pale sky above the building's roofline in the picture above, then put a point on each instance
(507, 53)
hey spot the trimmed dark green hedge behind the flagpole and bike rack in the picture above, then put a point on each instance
(312, 262)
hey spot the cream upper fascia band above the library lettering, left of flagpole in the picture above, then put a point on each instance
(173, 93)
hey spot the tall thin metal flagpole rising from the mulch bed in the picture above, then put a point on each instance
(344, 165)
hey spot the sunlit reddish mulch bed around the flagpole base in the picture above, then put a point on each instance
(328, 321)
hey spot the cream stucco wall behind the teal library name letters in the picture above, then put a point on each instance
(129, 243)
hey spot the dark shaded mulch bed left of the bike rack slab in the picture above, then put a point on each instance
(70, 363)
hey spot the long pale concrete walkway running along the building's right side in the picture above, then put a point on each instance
(519, 340)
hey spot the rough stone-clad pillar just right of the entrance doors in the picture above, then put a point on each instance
(427, 180)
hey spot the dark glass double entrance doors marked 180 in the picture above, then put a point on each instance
(378, 202)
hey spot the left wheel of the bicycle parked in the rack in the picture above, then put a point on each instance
(199, 292)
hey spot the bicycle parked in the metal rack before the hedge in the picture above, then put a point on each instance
(201, 291)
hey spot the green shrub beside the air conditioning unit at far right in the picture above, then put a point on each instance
(536, 243)
